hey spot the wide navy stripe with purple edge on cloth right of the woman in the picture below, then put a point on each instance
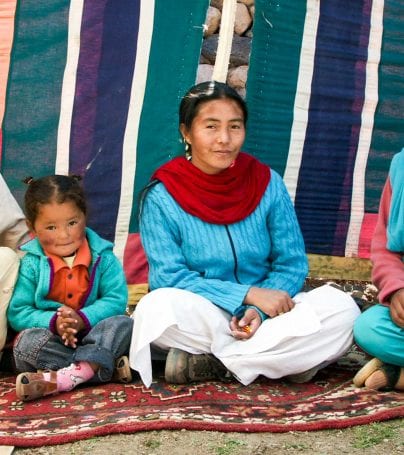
(323, 196)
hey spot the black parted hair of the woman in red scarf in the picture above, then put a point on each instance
(204, 92)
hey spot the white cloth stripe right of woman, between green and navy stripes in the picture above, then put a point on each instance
(302, 99)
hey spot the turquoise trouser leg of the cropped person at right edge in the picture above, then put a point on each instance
(377, 334)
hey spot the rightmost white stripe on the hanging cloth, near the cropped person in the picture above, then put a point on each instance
(365, 135)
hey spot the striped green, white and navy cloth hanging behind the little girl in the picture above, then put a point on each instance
(93, 89)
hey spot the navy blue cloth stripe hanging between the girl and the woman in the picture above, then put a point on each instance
(102, 179)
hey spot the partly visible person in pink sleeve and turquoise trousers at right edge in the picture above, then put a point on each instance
(379, 331)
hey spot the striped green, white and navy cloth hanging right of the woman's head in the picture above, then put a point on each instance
(325, 101)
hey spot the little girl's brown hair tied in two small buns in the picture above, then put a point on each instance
(52, 188)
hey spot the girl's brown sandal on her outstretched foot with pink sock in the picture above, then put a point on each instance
(30, 386)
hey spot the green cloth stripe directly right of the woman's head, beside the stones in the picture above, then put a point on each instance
(272, 79)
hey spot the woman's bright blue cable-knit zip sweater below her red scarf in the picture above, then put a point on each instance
(222, 262)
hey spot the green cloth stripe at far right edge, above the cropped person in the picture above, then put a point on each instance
(388, 131)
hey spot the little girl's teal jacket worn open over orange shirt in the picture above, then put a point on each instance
(107, 294)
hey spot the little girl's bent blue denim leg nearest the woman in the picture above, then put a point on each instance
(107, 341)
